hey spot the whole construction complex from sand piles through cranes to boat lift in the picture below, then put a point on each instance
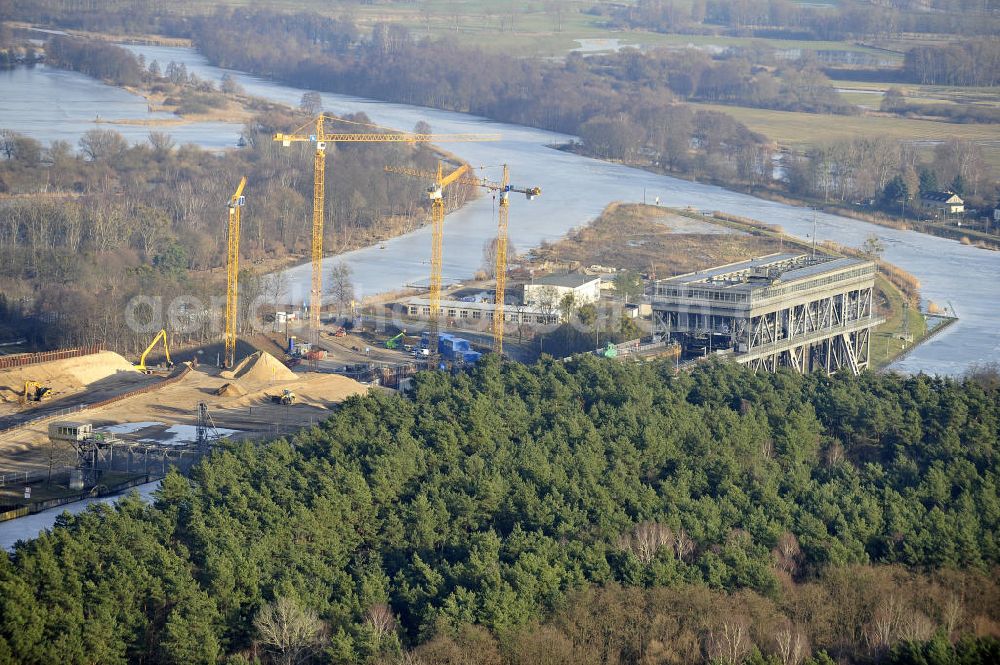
(88, 421)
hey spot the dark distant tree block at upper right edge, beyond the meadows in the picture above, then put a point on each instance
(971, 62)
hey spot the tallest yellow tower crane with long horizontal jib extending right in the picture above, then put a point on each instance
(320, 138)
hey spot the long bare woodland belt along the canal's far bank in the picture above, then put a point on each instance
(621, 105)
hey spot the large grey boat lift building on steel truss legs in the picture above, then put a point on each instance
(783, 310)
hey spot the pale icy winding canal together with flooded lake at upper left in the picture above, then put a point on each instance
(47, 104)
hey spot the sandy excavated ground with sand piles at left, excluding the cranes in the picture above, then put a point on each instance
(158, 411)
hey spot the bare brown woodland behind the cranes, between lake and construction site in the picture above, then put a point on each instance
(83, 231)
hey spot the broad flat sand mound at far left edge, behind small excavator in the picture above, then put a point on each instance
(68, 375)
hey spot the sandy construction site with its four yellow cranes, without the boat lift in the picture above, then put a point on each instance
(80, 422)
